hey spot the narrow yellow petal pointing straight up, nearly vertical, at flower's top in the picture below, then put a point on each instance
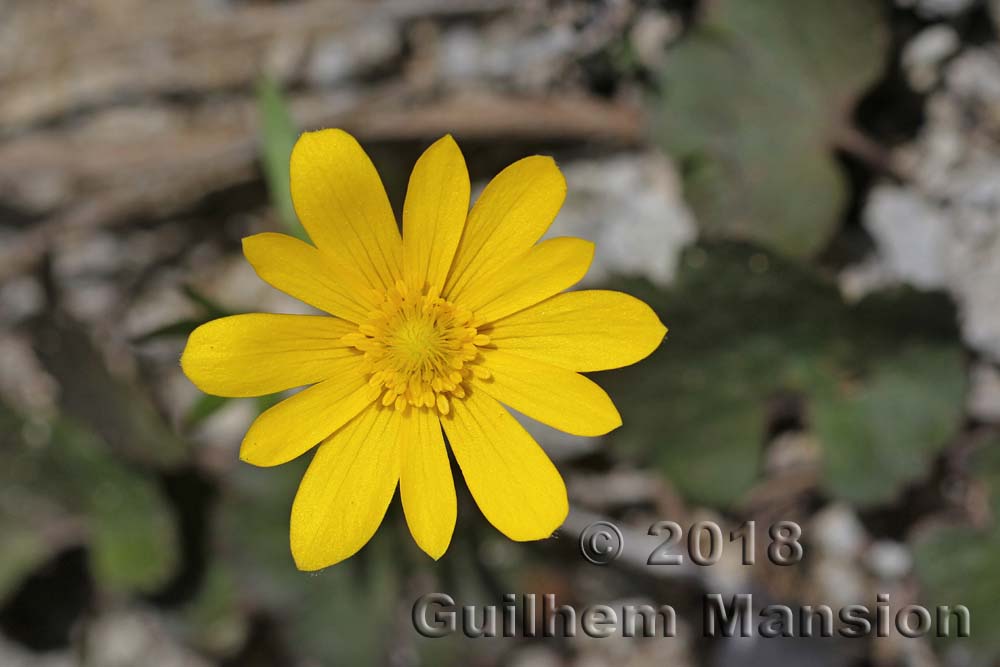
(437, 202)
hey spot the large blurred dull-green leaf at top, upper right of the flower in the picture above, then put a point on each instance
(753, 100)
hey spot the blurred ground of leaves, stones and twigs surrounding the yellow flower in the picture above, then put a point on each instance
(807, 191)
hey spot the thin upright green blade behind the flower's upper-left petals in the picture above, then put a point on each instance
(278, 136)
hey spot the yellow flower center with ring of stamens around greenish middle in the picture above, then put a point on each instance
(418, 350)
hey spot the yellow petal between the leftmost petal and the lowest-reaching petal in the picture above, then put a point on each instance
(296, 424)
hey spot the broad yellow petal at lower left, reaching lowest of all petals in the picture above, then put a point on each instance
(346, 490)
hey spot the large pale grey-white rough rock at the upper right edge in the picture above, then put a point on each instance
(942, 231)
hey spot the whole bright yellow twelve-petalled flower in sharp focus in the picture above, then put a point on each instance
(438, 327)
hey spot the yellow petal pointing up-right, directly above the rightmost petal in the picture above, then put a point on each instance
(548, 268)
